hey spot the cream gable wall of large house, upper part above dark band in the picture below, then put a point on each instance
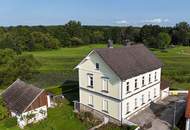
(89, 66)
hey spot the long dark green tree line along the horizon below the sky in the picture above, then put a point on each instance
(31, 38)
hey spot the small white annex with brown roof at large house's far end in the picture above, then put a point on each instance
(164, 87)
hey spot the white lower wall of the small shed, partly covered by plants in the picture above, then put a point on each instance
(23, 121)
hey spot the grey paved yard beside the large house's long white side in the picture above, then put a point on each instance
(159, 116)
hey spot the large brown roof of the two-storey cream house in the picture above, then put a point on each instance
(129, 61)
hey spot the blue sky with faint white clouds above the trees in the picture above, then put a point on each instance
(94, 12)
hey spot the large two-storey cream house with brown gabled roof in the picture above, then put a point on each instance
(118, 82)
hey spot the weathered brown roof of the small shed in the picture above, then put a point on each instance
(20, 95)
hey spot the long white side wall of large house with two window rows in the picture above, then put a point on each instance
(142, 90)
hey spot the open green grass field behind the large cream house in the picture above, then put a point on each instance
(57, 65)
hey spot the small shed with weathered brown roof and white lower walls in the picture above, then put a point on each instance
(26, 102)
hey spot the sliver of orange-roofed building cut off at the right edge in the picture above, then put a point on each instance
(187, 112)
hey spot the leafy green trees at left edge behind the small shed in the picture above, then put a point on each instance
(15, 66)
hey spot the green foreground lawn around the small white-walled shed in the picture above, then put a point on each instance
(59, 118)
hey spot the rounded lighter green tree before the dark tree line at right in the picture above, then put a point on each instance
(163, 40)
